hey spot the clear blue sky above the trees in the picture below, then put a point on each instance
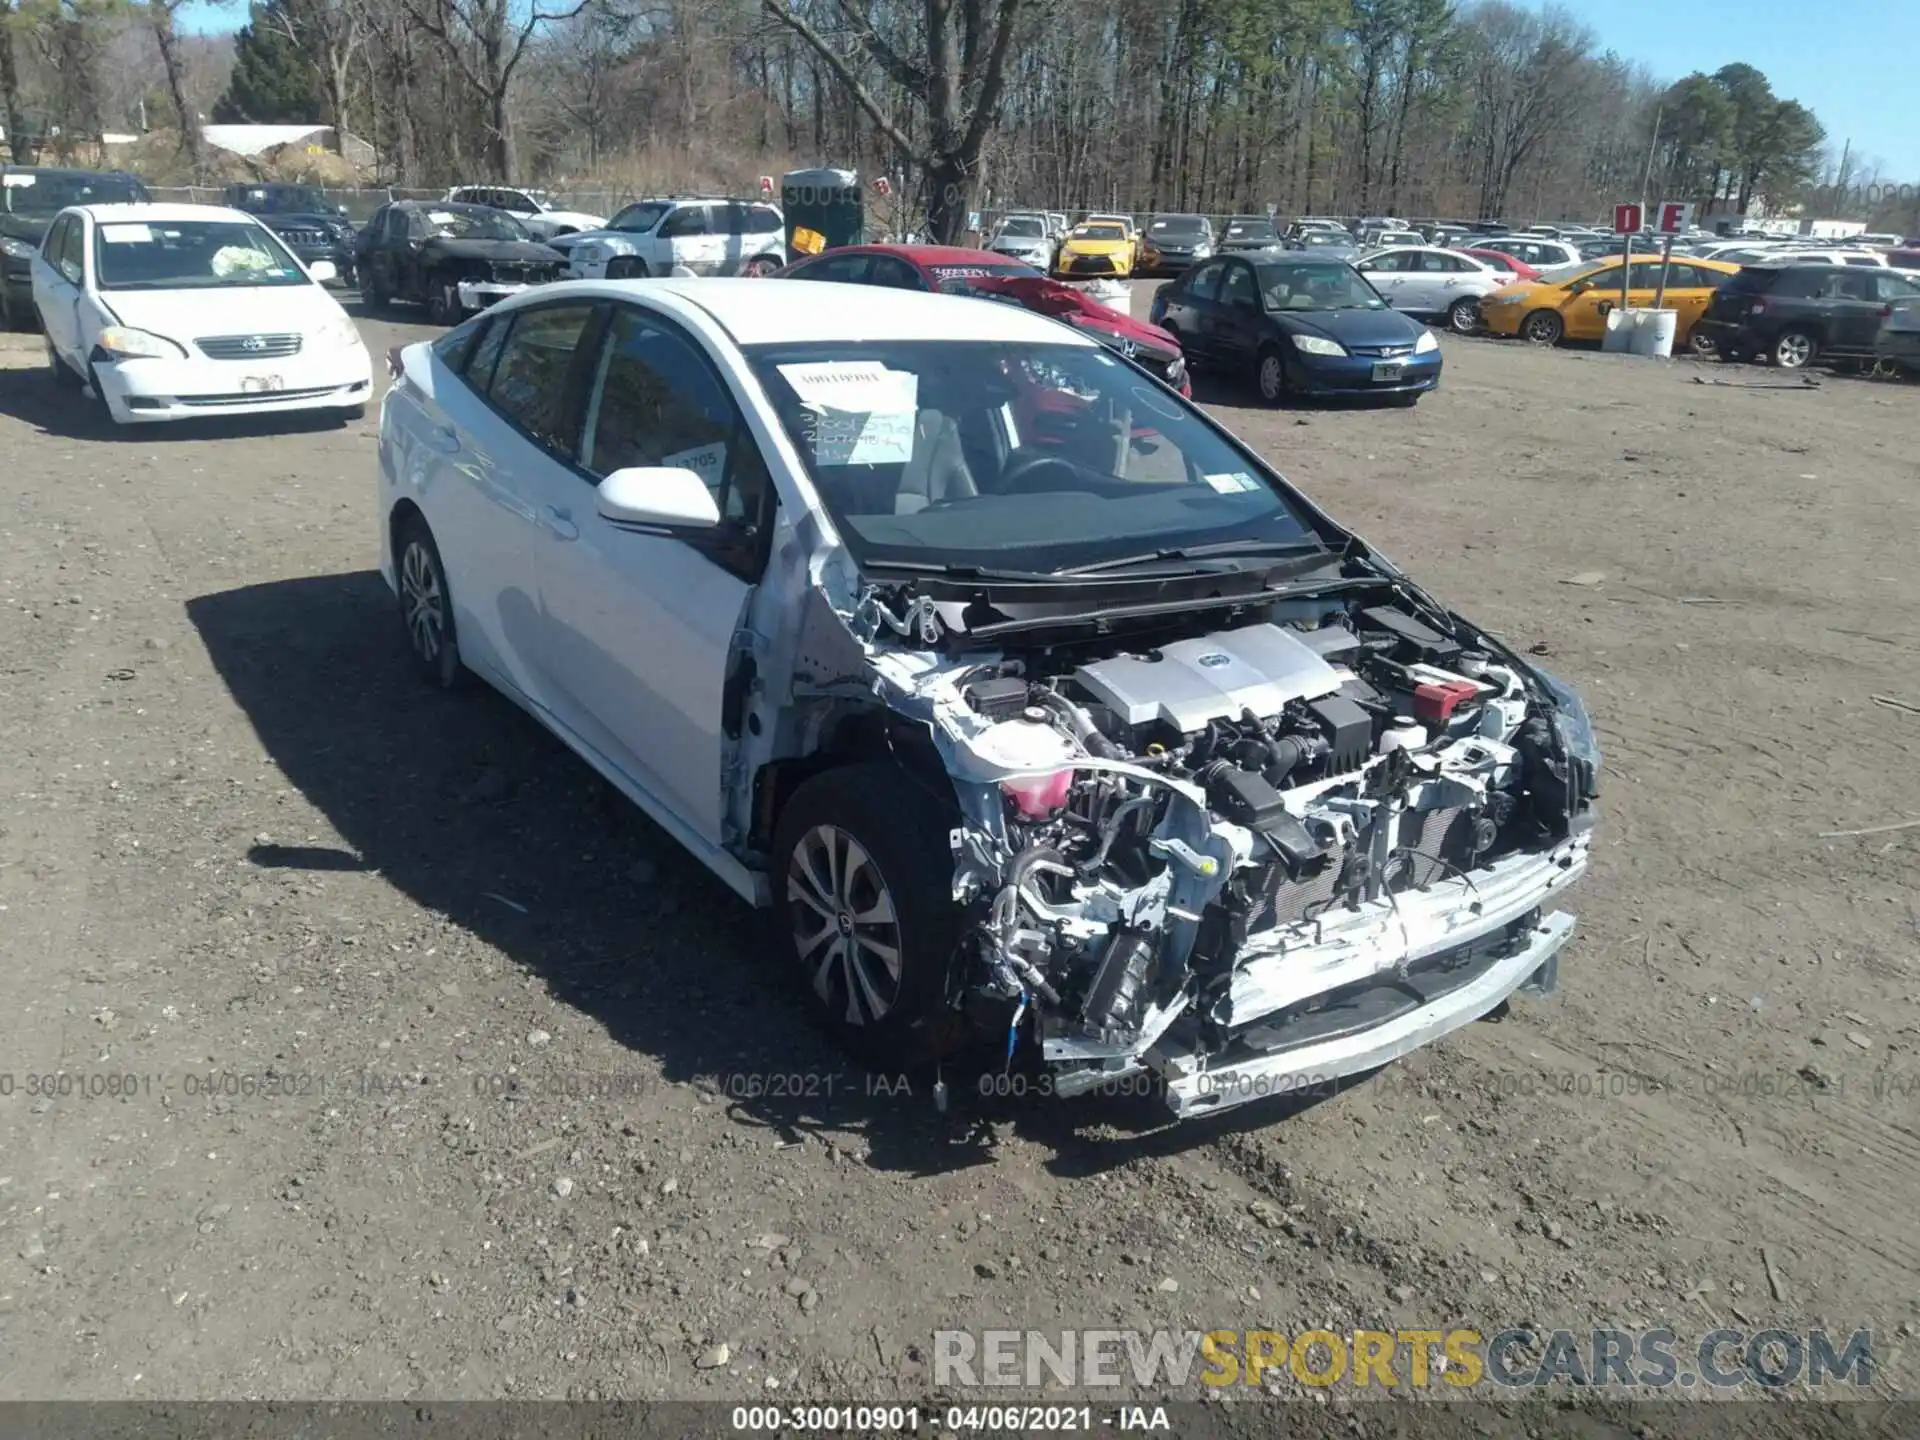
(1852, 62)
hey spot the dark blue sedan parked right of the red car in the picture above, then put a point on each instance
(1299, 327)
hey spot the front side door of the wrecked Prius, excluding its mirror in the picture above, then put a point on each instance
(640, 627)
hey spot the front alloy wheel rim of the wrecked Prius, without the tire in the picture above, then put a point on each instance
(846, 928)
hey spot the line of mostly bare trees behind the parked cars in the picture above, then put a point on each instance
(1445, 108)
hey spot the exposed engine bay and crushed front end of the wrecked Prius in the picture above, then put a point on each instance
(1251, 857)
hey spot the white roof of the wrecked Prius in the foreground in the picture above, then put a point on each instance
(757, 312)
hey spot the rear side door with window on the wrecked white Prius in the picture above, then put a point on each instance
(492, 439)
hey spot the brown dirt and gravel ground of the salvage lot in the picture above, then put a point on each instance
(452, 1078)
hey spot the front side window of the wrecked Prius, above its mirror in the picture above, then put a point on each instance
(660, 402)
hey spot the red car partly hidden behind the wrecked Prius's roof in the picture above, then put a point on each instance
(957, 272)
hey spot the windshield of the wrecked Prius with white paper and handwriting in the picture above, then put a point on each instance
(1015, 456)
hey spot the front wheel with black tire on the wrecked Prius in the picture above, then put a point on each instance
(903, 871)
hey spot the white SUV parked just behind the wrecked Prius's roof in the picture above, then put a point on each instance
(681, 237)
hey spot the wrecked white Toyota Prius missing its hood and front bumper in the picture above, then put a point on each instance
(1030, 702)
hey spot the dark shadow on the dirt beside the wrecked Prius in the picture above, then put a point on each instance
(477, 813)
